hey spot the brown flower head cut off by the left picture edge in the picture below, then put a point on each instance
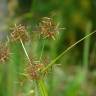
(4, 53)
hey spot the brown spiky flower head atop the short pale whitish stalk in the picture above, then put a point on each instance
(19, 32)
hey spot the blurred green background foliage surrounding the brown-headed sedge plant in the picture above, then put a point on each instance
(75, 72)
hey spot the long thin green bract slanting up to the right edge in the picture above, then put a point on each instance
(70, 47)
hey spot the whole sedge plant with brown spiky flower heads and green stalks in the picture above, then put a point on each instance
(36, 70)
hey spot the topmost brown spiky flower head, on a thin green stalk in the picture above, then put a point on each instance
(48, 28)
